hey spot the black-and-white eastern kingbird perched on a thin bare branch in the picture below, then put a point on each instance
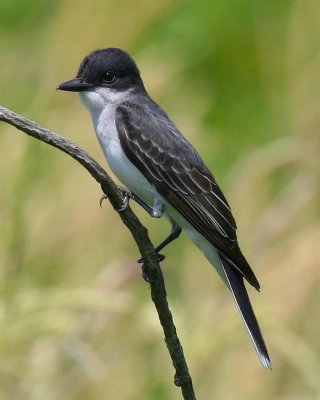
(162, 170)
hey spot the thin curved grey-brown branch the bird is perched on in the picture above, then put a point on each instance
(140, 234)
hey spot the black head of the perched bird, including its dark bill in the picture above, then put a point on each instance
(111, 68)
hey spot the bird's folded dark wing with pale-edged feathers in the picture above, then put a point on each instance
(169, 162)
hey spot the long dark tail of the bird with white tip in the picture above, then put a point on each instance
(239, 292)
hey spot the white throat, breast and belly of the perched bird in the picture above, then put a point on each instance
(102, 104)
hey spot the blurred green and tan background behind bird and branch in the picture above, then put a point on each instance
(241, 80)
